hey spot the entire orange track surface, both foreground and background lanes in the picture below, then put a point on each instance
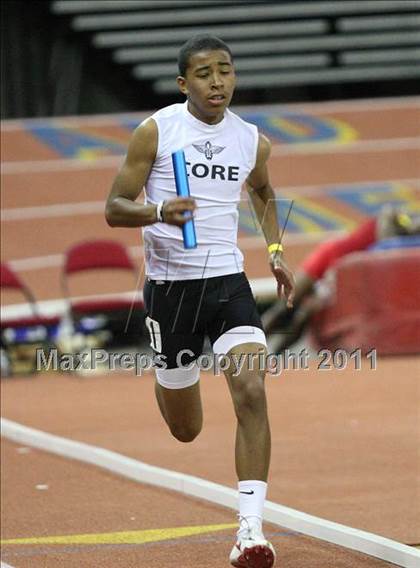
(344, 443)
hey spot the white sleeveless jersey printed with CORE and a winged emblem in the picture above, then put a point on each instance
(219, 159)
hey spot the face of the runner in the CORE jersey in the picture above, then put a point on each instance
(209, 84)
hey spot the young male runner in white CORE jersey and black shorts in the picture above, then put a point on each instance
(190, 293)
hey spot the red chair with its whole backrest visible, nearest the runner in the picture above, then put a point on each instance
(94, 256)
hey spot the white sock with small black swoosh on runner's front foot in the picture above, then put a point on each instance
(251, 503)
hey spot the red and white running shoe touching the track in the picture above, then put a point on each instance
(252, 550)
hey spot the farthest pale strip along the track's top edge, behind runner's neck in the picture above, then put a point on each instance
(363, 105)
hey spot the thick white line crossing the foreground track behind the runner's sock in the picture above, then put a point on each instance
(285, 517)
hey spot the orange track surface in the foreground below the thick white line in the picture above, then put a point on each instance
(116, 506)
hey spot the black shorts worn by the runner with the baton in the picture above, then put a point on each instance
(181, 313)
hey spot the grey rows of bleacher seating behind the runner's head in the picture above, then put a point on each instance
(275, 43)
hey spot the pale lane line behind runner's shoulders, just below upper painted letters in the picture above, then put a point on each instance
(357, 146)
